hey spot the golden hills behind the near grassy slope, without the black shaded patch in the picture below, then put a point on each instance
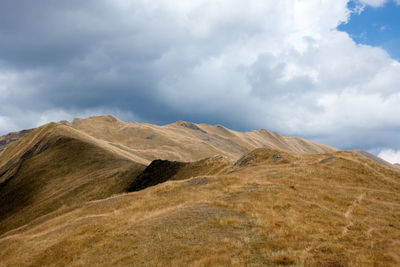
(62, 165)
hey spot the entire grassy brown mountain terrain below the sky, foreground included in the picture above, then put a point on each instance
(100, 191)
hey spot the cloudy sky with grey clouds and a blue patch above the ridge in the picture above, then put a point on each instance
(326, 70)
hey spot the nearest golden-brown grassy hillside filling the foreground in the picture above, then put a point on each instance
(268, 208)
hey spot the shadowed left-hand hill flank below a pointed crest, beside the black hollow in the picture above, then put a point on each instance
(57, 167)
